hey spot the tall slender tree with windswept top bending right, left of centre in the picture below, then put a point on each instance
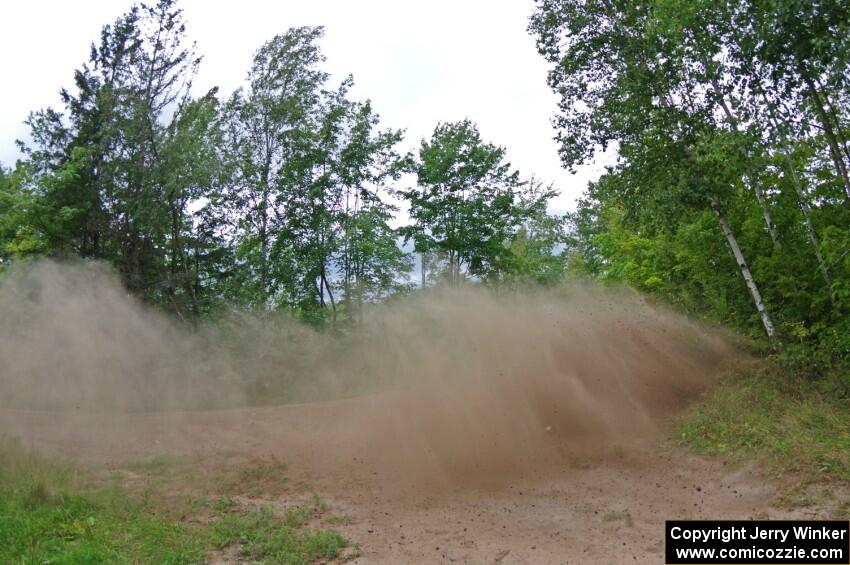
(265, 128)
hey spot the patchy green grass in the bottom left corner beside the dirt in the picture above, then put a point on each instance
(54, 513)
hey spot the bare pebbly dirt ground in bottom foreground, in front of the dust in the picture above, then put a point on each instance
(604, 513)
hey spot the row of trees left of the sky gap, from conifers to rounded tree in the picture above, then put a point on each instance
(279, 196)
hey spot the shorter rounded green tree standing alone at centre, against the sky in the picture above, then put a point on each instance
(471, 209)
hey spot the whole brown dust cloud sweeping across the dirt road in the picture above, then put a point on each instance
(444, 383)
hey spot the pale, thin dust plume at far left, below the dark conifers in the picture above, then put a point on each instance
(72, 338)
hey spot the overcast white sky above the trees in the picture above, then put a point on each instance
(420, 62)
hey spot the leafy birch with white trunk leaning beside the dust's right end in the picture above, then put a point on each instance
(623, 79)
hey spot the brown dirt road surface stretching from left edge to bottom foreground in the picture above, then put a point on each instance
(411, 504)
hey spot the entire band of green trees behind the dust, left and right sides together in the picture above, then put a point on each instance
(730, 196)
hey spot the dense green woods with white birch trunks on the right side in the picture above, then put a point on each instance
(731, 193)
